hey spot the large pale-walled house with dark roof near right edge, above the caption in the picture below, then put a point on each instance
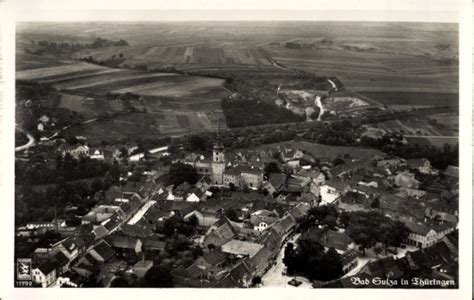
(423, 236)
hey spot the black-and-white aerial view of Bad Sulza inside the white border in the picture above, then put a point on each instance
(236, 154)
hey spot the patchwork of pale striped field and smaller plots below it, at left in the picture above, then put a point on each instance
(173, 104)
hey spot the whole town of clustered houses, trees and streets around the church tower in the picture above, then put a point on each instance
(247, 218)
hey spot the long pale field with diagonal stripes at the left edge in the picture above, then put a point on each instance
(102, 80)
